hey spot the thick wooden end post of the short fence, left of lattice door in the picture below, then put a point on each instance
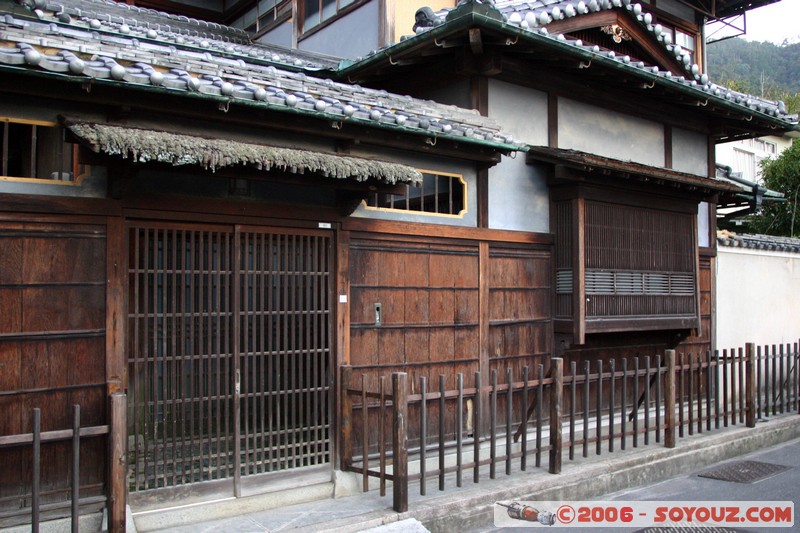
(117, 463)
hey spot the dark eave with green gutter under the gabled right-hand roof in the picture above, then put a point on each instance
(729, 115)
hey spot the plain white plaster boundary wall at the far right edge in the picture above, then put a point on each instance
(758, 297)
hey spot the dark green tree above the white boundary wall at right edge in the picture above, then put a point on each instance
(782, 175)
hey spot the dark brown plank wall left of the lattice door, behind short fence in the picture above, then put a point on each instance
(52, 348)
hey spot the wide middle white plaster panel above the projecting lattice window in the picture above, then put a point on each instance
(607, 133)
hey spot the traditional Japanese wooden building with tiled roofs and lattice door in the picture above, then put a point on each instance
(214, 225)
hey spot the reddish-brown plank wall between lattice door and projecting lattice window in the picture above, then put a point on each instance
(448, 306)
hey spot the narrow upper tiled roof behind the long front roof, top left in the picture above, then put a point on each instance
(106, 16)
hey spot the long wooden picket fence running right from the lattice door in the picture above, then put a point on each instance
(438, 432)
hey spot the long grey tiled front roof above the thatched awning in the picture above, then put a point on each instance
(80, 51)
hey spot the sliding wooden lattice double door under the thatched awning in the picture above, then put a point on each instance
(229, 352)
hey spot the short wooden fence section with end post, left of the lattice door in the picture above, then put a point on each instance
(113, 501)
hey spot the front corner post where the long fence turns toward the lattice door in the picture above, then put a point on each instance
(400, 441)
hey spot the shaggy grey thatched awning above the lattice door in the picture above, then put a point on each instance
(142, 145)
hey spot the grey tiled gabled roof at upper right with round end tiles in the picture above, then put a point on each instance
(531, 17)
